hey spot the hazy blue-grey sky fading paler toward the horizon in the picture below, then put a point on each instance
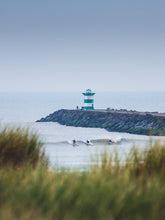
(71, 45)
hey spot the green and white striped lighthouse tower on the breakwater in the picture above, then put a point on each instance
(88, 99)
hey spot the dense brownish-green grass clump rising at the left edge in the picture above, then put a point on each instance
(20, 147)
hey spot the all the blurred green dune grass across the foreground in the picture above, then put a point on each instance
(113, 190)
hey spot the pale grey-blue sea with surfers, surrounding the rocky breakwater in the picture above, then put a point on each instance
(23, 109)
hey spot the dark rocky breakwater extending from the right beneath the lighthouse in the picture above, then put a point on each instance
(113, 120)
